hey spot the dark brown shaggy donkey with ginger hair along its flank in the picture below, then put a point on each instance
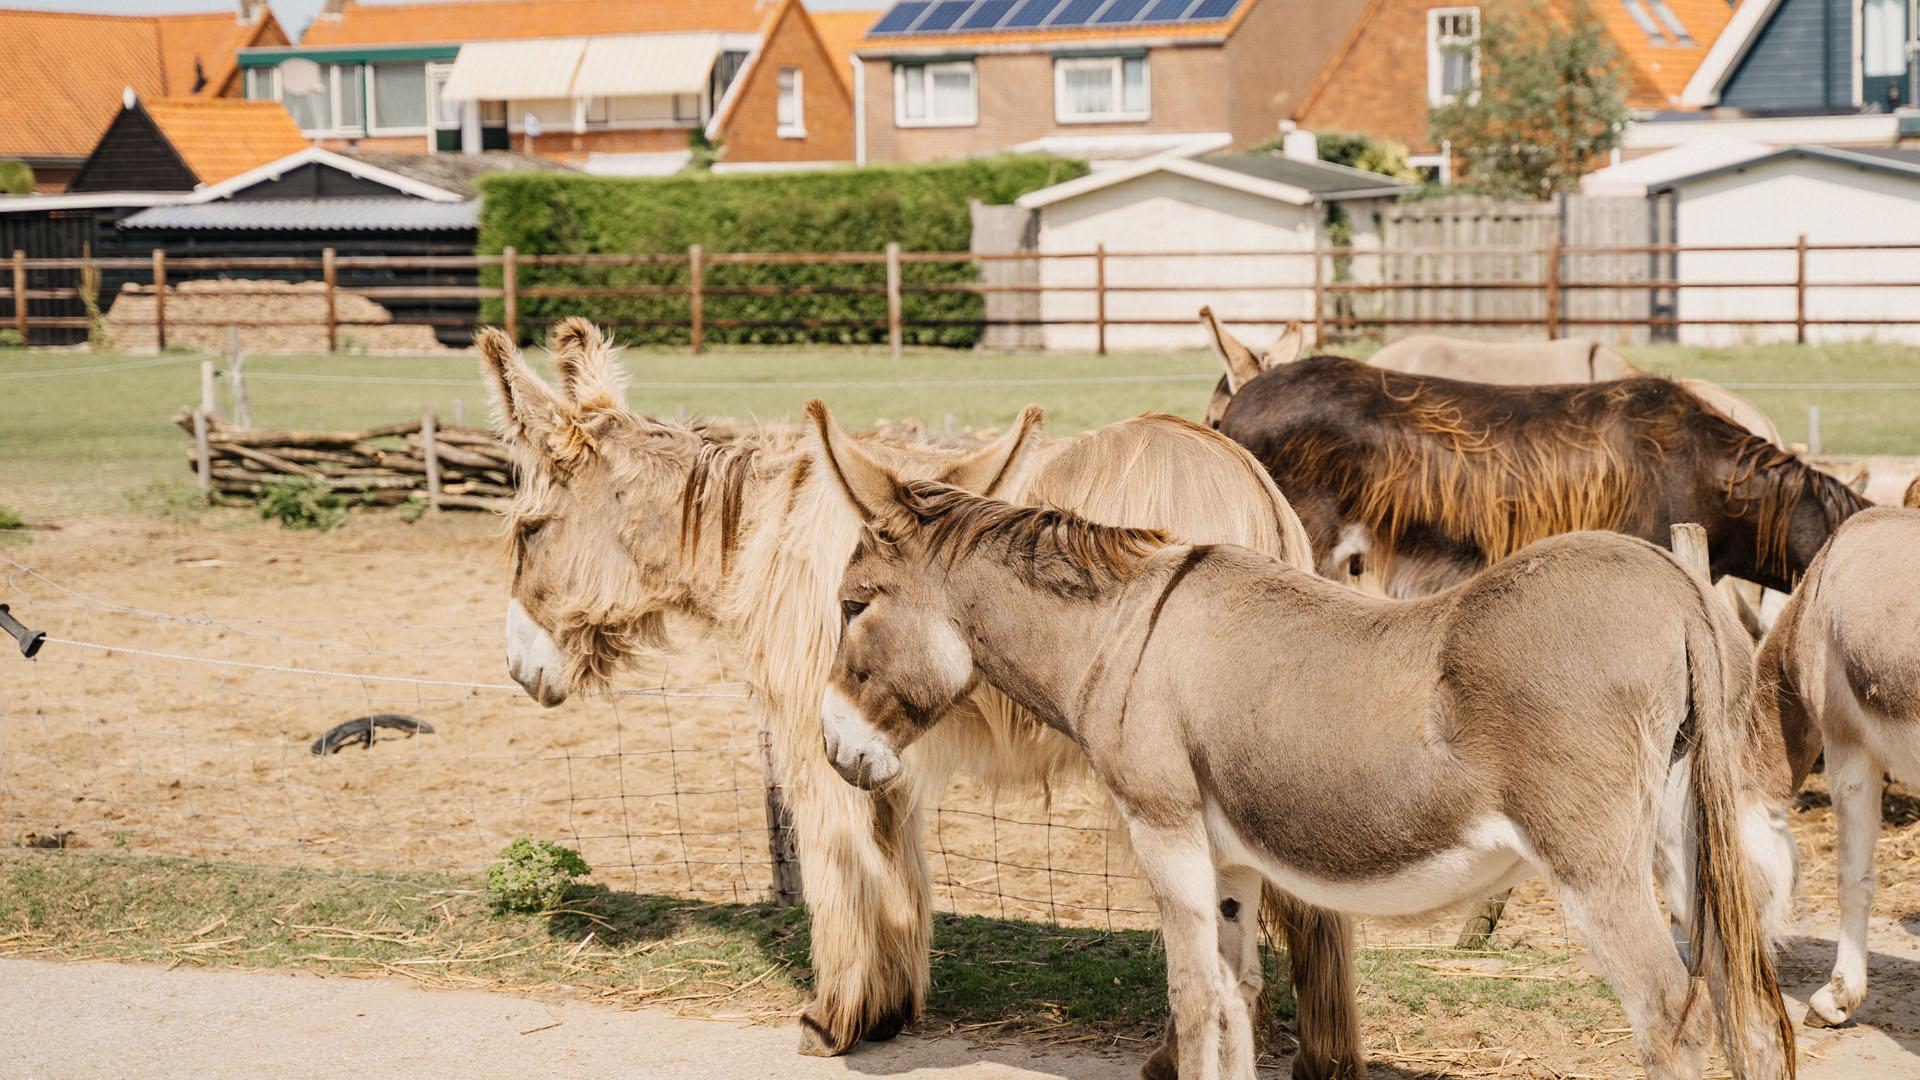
(1431, 479)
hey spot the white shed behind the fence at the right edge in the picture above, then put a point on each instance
(1827, 195)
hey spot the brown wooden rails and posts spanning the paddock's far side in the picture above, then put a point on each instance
(1111, 282)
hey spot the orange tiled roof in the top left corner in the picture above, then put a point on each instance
(66, 72)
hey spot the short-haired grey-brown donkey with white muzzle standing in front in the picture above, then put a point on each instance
(1255, 722)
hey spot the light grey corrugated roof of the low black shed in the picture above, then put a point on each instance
(314, 216)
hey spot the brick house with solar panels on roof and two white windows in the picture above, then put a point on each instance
(1101, 80)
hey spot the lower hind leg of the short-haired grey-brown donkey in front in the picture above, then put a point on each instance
(1627, 935)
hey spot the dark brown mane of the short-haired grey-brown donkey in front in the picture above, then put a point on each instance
(957, 522)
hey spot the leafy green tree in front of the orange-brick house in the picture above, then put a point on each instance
(1548, 107)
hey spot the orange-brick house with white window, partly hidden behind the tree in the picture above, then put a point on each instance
(1401, 59)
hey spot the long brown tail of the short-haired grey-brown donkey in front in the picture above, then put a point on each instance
(1731, 946)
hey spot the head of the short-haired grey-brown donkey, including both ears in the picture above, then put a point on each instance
(901, 662)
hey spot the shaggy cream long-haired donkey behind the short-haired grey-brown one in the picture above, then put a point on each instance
(621, 520)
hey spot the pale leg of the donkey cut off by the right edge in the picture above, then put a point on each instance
(1856, 779)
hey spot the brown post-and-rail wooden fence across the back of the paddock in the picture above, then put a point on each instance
(1541, 295)
